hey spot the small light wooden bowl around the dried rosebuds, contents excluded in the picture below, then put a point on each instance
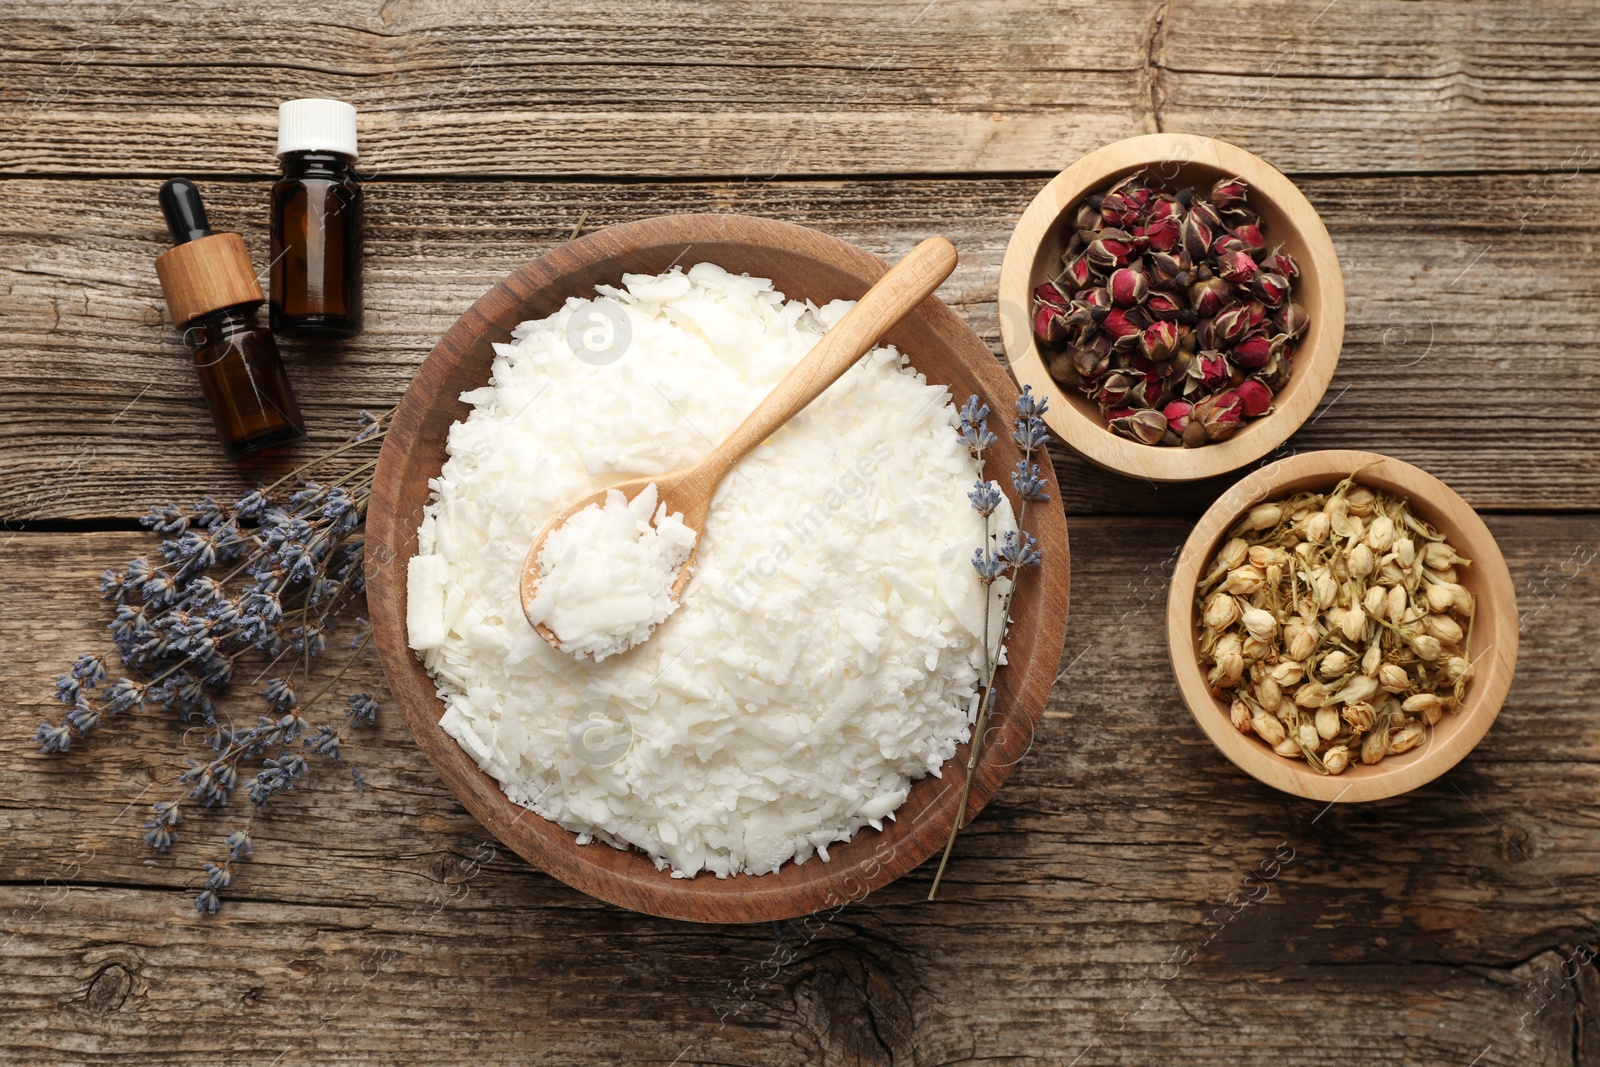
(1289, 220)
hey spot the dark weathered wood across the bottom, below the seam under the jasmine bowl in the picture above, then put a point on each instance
(1425, 930)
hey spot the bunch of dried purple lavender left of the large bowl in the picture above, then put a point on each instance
(268, 573)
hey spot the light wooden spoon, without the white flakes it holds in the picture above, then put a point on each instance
(690, 490)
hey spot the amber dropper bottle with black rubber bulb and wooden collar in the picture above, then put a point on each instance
(214, 295)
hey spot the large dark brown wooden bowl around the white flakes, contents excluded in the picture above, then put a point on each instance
(804, 265)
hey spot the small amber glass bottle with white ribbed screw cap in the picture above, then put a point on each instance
(318, 223)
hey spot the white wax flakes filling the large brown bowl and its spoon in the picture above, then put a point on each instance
(828, 649)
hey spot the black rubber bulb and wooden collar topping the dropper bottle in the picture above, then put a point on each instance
(202, 273)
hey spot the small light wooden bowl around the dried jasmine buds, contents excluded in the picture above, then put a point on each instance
(1494, 634)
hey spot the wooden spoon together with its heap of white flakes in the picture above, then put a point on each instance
(606, 572)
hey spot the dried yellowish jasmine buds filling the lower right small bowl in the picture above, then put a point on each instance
(1335, 626)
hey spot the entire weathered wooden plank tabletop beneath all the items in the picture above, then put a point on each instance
(1094, 914)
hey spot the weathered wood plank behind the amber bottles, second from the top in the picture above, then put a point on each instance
(1470, 321)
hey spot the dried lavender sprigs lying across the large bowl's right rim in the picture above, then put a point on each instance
(1017, 551)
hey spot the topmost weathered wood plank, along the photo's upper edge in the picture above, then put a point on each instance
(836, 89)
